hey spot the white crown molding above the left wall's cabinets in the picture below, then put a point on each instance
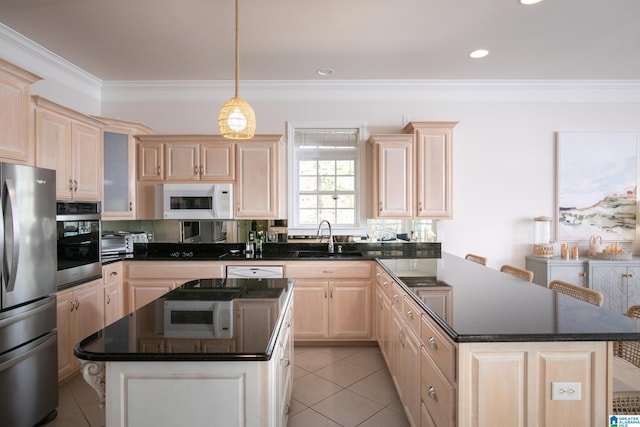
(31, 56)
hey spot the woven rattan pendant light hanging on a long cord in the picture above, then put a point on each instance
(237, 119)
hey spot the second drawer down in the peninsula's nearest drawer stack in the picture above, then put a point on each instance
(438, 395)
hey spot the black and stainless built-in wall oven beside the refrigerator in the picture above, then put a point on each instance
(78, 242)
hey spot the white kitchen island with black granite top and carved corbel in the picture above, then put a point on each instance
(212, 350)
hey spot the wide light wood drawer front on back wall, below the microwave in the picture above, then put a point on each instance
(175, 270)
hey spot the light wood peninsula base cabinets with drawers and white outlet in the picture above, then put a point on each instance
(442, 383)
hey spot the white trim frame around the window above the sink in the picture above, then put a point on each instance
(361, 182)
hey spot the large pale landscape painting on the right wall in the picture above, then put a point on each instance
(596, 186)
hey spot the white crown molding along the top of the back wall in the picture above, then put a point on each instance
(380, 90)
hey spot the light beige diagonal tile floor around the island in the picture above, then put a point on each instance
(332, 387)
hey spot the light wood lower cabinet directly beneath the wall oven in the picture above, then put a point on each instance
(80, 313)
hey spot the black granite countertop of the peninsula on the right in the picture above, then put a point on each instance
(490, 306)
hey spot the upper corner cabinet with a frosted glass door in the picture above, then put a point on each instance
(119, 166)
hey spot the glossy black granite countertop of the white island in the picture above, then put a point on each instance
(127, 339)
